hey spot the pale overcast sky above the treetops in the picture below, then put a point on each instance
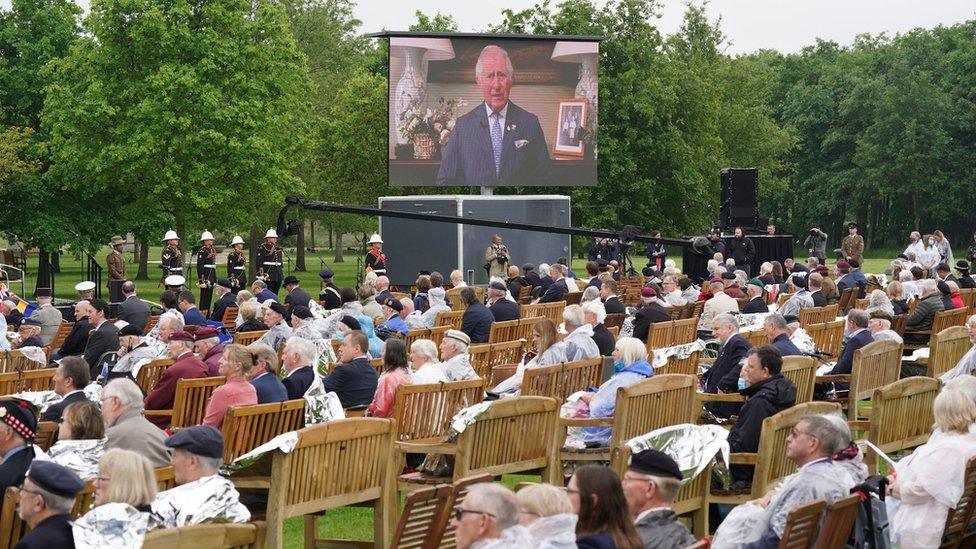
(784, 25)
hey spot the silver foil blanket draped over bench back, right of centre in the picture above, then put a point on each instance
(693, 447)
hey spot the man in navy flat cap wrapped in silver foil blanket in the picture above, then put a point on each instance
(197, 453)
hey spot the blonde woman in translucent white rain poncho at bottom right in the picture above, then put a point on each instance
(930, 481)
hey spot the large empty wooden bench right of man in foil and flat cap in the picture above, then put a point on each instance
(335, 464)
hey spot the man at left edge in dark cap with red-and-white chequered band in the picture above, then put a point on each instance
(18, 424)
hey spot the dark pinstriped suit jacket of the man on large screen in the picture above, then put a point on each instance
(469, 158)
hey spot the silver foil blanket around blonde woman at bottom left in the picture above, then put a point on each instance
(110, 526)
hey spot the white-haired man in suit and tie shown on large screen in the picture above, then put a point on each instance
(497, 143)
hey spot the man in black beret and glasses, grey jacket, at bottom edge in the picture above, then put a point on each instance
(650, 485)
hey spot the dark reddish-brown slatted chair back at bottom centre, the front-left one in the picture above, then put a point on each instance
(422, 522)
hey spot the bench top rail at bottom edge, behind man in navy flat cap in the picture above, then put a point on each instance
(249, 535)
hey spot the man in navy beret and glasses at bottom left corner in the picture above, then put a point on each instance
(46, 499)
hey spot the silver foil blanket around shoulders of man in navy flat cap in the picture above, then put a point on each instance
(210, 499)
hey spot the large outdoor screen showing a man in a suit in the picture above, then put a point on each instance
(493, 111)
